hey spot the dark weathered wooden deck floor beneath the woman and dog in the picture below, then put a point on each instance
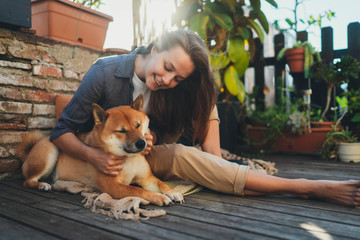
(28, 214)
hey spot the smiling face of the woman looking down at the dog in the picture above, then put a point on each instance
(167, 69)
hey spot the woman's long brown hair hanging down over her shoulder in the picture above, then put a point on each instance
(189, 104)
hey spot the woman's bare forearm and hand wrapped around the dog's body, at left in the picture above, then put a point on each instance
(104, 162)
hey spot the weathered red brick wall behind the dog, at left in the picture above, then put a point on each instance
(32, 71)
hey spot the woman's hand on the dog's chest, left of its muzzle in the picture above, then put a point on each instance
(106, 163)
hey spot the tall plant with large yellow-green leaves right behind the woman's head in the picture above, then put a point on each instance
(230, 36)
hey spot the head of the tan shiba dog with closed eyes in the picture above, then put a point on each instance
(121, 130)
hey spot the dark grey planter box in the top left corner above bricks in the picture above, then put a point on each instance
(15, 13)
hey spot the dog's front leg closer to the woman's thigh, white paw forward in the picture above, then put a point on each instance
(154, 184)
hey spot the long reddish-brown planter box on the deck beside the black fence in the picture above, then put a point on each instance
(308, 143)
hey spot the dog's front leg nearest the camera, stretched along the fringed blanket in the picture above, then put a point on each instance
(119, 190)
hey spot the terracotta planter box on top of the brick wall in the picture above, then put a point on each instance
(69, 22)
